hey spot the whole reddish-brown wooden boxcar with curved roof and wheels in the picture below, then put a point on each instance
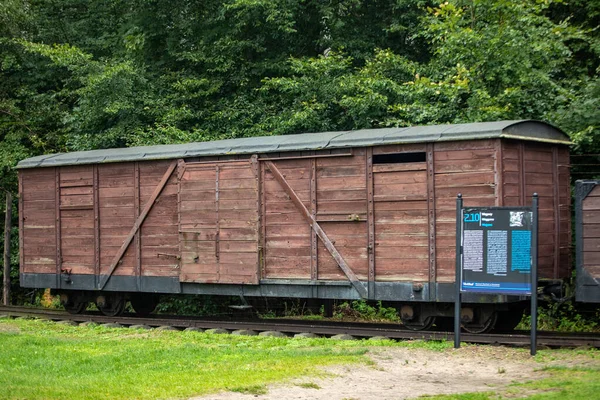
(337, 215)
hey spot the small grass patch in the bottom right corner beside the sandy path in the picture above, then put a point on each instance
(561, 383)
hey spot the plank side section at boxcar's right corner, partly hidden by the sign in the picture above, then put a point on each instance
(460, 167)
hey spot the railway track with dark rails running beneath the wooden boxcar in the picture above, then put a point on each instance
(322, 328)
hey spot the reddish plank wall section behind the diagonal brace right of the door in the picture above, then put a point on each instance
(334, 190)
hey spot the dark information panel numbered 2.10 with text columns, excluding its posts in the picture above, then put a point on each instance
(496, 250)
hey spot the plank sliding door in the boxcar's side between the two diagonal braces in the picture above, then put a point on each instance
(218, 226)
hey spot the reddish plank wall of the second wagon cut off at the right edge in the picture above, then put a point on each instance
(591, 233)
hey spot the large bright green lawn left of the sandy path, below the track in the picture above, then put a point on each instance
(44, 360)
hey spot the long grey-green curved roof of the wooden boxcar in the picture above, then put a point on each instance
(521, 130)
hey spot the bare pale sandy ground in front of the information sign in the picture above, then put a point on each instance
(398, 373)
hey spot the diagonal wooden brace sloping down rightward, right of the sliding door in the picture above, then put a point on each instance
(362, 291)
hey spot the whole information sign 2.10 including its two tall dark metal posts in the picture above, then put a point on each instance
(496, 253)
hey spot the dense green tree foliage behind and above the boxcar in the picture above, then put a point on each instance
(80, 74)
